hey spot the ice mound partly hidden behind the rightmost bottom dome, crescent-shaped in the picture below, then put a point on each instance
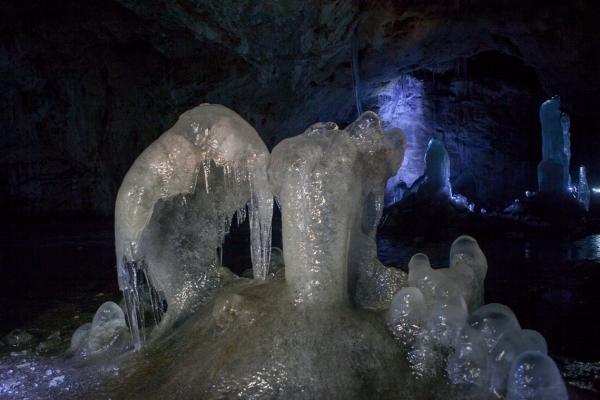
(508, 348)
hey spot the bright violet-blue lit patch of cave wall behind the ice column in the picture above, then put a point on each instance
(400, 105)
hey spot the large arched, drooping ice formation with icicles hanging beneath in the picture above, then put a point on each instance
(175, 205)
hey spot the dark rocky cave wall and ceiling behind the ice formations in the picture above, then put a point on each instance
(87, 87)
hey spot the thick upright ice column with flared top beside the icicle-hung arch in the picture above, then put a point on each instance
(330, 184)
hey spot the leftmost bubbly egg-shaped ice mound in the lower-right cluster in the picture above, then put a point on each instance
(406, 314)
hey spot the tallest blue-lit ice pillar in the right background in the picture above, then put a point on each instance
(553, 170)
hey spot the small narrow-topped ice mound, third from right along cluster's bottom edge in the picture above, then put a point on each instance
(468, 363)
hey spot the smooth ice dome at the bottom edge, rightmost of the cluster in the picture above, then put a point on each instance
(534, 376)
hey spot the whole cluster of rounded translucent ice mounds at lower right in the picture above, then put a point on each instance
(483, 348)
